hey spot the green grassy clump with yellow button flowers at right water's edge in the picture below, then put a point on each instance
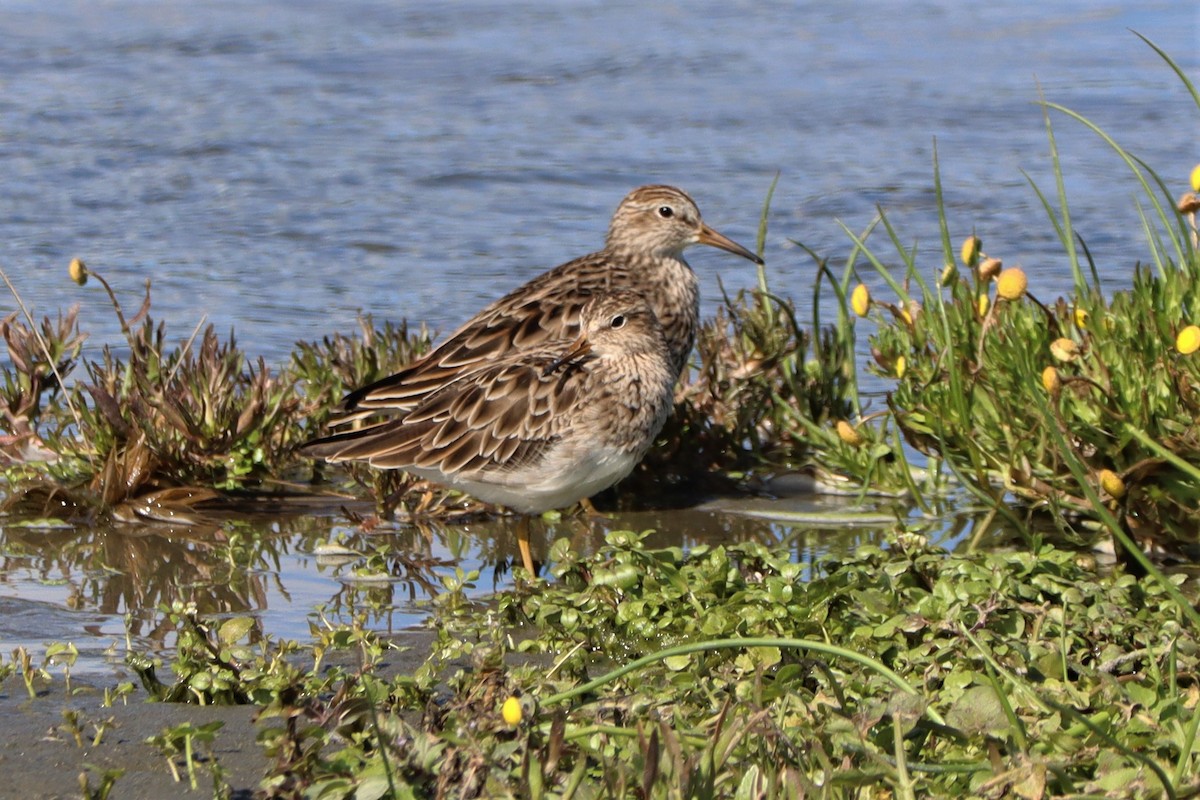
(1036, 401)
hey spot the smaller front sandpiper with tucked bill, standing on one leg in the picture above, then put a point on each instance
(539, 429)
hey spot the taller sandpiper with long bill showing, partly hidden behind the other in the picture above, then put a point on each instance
(644, 252)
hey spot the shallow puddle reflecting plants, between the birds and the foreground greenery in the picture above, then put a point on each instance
(291, 572)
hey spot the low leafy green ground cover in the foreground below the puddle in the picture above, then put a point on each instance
(729, 672)
